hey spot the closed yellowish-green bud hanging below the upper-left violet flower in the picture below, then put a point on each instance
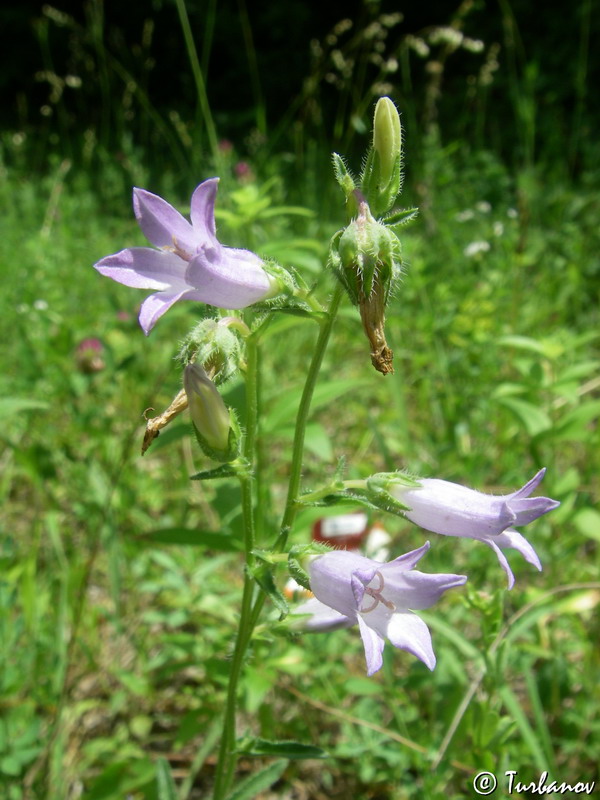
(210, 416)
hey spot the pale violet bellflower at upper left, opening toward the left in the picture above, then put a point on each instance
(190, 264)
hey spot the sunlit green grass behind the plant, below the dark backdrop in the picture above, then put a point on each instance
(115, 646)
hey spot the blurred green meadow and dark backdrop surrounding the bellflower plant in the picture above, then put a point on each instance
(115, 630)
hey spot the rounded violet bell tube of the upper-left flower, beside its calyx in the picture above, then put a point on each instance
(225, 280)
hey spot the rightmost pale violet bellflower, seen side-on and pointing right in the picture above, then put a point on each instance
(454, 510)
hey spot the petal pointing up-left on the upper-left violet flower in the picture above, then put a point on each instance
(163, 225)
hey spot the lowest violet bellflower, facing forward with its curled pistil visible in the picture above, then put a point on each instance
(351, 589)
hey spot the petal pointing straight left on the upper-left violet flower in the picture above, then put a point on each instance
(144, 268)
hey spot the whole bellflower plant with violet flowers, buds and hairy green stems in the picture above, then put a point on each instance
(187, 262)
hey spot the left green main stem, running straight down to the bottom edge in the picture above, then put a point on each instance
(227, 756)
